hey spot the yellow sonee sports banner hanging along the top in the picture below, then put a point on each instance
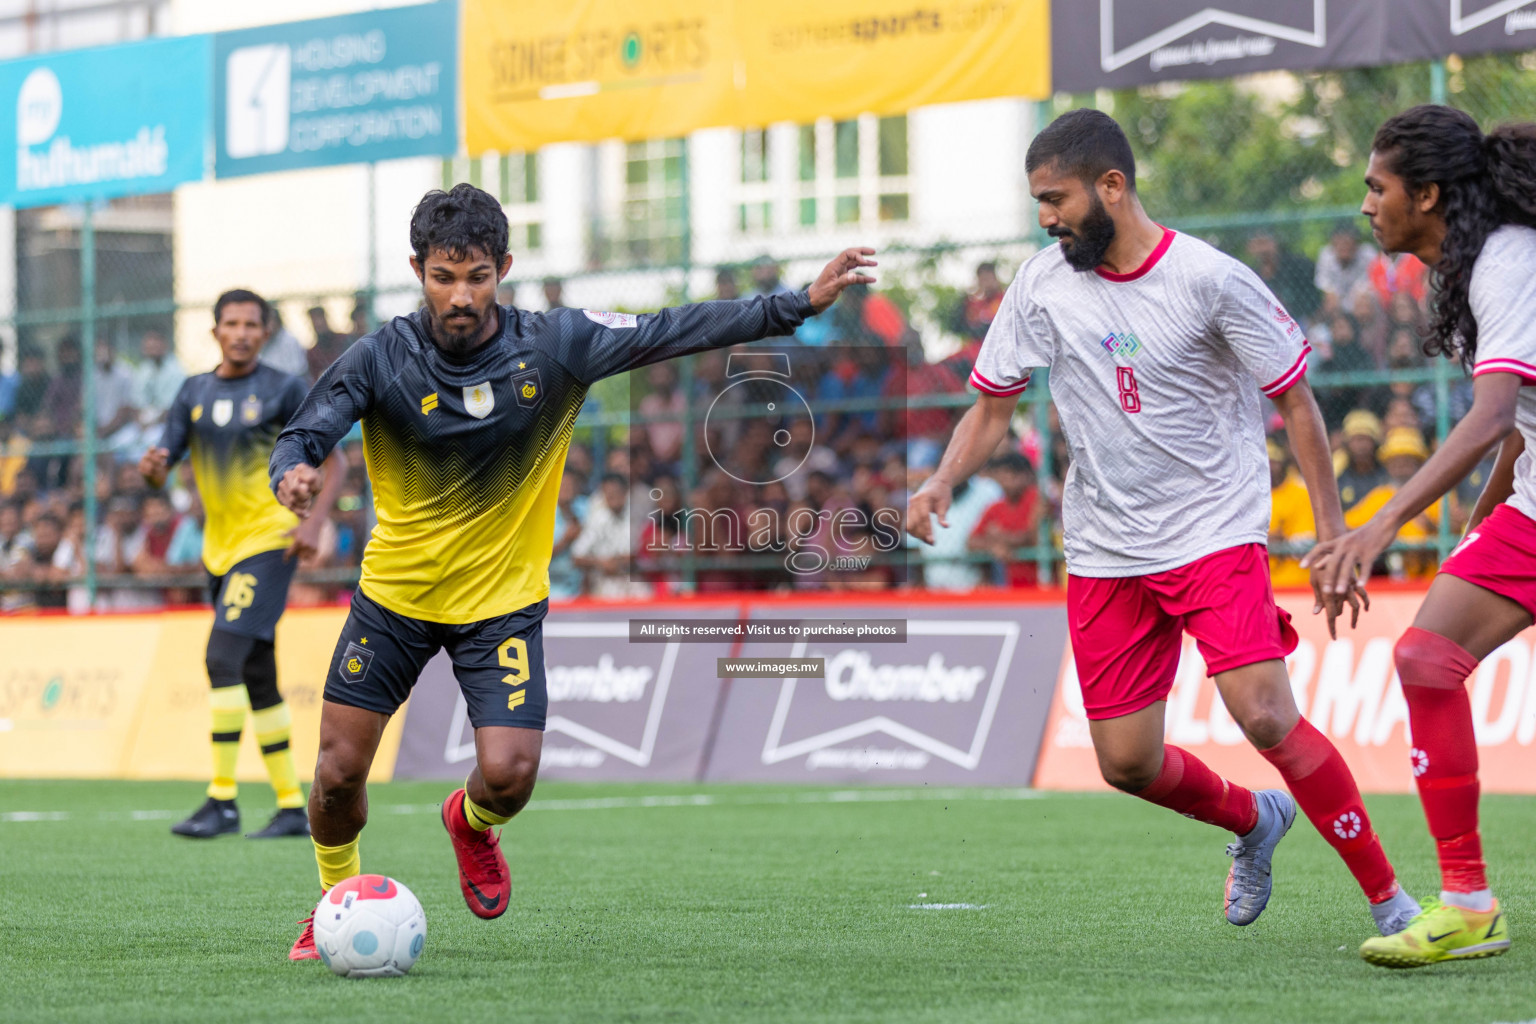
(594, 70)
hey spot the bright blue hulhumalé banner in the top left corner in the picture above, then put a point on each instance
(98, 124)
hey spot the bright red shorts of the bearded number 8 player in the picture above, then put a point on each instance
(1128, 632)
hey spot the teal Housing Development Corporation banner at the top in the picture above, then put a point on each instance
(336, 91)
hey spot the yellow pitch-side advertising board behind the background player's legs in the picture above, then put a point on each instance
(127, 696)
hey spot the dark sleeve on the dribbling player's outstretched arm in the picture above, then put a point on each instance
(604, 345)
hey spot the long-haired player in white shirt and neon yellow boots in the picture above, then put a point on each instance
(1466, 205)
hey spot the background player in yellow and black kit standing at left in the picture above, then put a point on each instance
(228, 420)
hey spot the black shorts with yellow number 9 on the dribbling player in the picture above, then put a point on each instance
(498, 662)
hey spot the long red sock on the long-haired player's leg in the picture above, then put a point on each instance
(1434, 672)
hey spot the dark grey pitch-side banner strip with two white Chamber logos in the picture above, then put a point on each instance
(887, 695)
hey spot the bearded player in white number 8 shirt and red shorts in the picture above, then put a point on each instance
(1159, 349)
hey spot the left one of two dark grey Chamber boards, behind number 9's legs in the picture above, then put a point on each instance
(618, 710)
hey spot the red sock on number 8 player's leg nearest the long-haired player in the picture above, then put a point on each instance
(1326, 793)
